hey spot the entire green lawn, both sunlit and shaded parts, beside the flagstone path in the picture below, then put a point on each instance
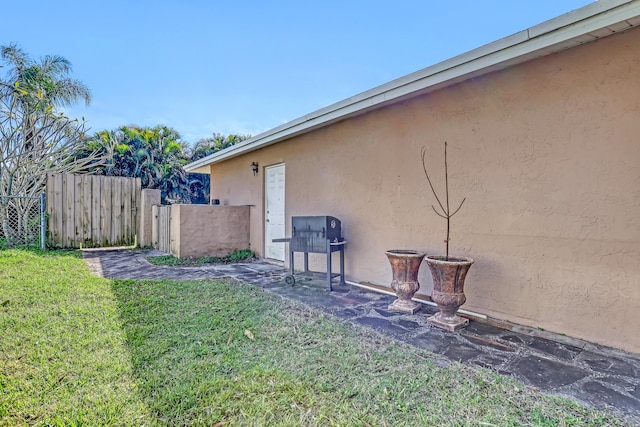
(80, 350)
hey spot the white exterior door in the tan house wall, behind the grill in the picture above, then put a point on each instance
(274, 212)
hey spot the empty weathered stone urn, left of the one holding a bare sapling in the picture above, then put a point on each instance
(405, 265)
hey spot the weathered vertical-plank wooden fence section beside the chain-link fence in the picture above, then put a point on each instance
(92, 210)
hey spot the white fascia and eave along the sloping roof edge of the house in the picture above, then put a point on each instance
(558, 34)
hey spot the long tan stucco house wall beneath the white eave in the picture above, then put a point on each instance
(546, 153)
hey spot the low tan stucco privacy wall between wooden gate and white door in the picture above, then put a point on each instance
(205, 231)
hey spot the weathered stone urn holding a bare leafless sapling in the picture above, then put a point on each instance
(448, 290)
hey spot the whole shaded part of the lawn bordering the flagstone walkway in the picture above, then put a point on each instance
(207, 352)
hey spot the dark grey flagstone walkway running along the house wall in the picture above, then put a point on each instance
(591, 374)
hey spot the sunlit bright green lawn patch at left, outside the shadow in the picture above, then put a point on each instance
(64, 360)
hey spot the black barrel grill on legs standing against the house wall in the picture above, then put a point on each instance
(315, 234)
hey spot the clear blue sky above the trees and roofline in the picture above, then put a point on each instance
(247, 66)
